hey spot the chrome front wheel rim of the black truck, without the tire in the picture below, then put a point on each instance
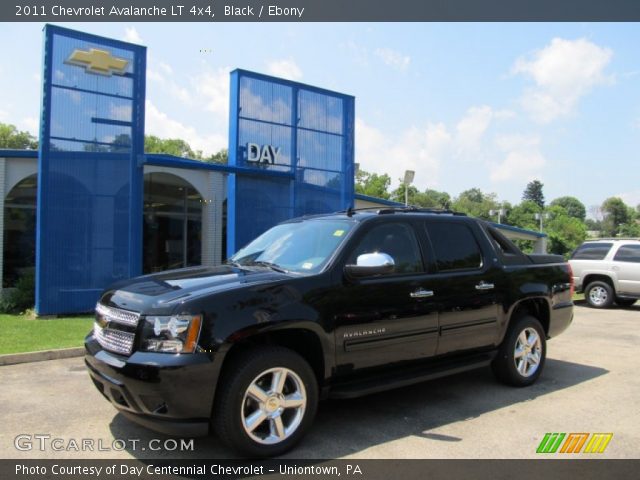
(273, 406)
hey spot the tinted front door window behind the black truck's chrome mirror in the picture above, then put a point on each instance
(396, 240)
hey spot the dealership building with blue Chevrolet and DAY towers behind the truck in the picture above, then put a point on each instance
(90, 207)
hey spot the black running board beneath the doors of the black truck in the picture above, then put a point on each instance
(402, 378)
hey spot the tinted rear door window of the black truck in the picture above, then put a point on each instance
(455, 246)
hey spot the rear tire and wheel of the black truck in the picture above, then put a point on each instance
(522, 354)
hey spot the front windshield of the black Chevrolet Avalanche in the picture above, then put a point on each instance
(303, 247)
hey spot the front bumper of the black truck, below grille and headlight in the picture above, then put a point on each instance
(169, 393)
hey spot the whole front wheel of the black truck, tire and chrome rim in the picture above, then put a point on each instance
(266, 402)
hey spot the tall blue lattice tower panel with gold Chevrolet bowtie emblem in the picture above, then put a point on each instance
(90, 184)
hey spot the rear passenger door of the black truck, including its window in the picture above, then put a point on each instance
(467, 284)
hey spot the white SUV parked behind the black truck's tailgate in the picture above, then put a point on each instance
(607, 270)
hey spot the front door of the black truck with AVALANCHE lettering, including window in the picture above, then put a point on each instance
(388, 318)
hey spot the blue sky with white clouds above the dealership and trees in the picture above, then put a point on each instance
(488, 105)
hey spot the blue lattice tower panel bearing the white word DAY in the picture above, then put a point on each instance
(303, 133)
